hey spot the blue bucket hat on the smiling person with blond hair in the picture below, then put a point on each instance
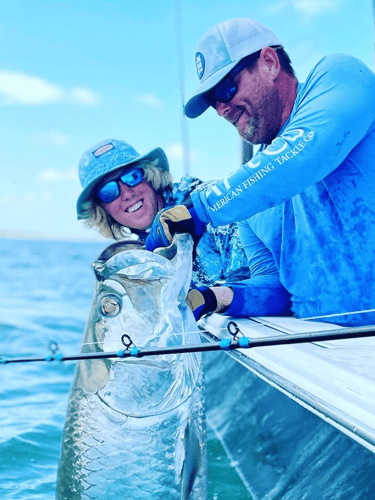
(105, 157)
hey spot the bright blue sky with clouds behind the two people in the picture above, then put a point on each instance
(74, 72)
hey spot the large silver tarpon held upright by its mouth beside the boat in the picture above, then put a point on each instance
(135, 428)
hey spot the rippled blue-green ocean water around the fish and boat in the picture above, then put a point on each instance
(46, 290)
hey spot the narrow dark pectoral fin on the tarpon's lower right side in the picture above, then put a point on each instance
(191, 461)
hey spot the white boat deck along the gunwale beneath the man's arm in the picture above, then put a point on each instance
(333, 379)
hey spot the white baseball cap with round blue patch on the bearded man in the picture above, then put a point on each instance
(220, 49)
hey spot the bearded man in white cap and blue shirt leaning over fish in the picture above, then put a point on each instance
(306, 199)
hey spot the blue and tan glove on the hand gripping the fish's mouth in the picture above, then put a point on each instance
(178, 219)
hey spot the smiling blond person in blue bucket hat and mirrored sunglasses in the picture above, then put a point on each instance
(122, 193)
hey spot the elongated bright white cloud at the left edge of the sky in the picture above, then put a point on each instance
(17, 87)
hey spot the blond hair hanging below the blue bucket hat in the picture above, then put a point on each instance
(94, 216)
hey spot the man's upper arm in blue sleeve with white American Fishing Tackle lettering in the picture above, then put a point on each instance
(332, 114)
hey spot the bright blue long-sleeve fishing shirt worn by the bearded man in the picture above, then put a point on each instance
(307, 203)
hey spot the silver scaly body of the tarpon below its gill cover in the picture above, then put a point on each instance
(105, 468)
